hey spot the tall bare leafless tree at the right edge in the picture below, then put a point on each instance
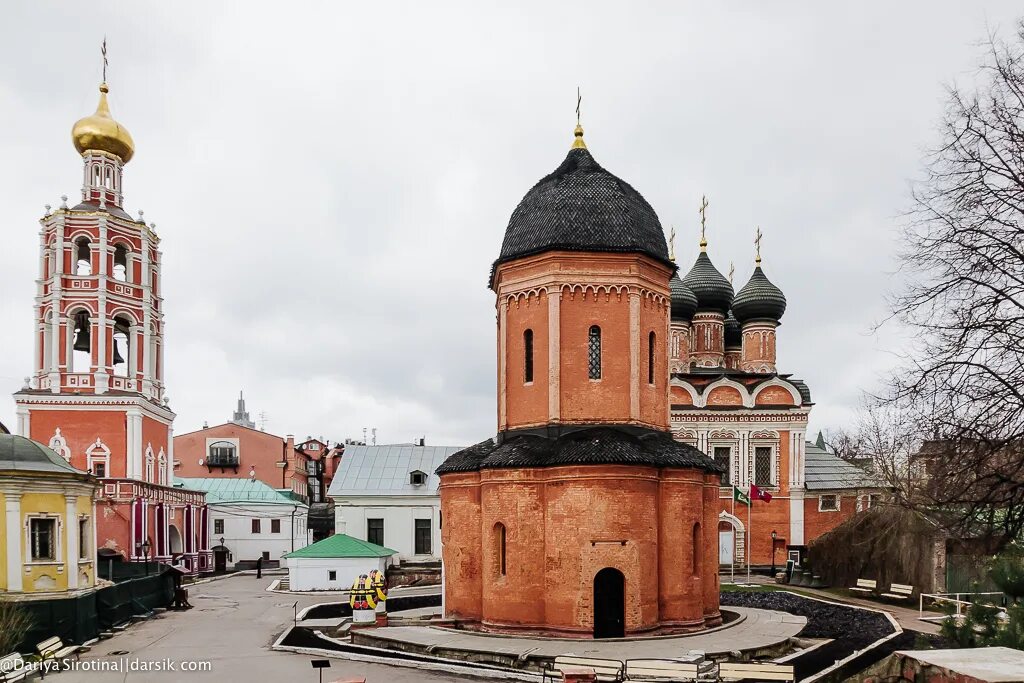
(962, 392)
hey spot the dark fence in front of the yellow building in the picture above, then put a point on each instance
(79, 619)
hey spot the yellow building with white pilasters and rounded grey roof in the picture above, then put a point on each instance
(48, 511)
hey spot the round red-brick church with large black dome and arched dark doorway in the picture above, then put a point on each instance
(583, 518)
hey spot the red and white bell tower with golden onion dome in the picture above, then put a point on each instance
(97, 395)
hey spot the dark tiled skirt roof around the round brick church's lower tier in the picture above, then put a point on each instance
(587, 446)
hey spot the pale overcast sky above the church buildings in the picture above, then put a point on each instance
(332, 181)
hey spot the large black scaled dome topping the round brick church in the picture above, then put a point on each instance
(582, 207)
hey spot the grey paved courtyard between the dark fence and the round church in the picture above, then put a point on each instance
(232, 627)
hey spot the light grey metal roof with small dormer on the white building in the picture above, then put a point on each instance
(385, 471)
